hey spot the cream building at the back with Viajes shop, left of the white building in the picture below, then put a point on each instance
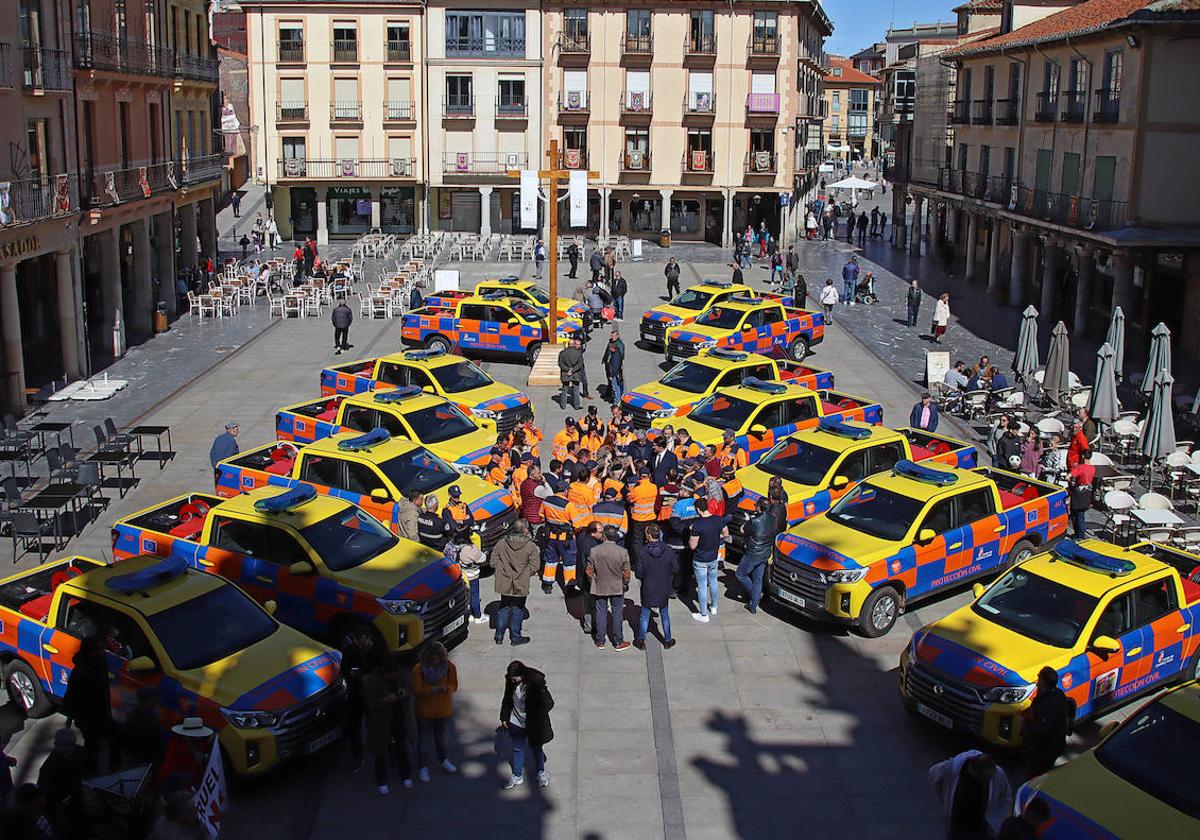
(337, 103)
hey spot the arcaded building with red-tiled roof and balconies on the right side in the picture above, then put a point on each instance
(1063, 187)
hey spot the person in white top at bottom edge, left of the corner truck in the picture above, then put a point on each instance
(973, 794)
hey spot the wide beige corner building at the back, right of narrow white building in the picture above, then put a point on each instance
(691, 116)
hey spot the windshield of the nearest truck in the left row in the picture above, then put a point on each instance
(231, 621)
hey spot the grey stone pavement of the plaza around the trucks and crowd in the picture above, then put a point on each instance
(753, 725)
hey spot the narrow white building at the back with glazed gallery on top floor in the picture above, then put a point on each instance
(485, 112)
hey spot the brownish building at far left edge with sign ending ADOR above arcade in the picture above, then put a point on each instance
(40, 301)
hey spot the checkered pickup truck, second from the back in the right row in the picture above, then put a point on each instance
(753, 325)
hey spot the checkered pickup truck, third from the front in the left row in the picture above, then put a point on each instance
(374, 472)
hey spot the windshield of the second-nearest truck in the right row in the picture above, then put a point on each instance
(1037, 608)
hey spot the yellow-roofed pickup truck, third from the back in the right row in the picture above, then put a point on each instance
(693, 380)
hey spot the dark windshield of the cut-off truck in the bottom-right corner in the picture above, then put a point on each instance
(1141, 753)
